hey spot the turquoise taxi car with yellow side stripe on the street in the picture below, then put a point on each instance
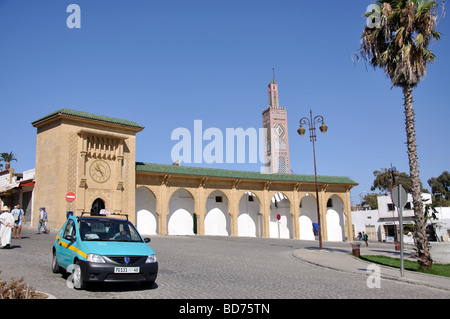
(103, 248)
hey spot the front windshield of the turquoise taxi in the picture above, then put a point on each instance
(105, 229)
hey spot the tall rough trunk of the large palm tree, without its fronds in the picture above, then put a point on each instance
(420, 236)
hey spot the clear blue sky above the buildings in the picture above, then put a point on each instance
(164, 64)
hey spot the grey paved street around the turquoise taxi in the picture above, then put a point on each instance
(211, 267)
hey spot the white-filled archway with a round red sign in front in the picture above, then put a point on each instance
(282, 228)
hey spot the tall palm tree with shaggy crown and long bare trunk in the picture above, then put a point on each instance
(398, 45)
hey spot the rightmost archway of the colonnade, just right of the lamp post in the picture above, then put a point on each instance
(335, 219)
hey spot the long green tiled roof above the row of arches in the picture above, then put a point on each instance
(212, 172)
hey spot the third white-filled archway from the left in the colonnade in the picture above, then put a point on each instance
(217, 219)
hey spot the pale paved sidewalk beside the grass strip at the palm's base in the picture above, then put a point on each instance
(340, 258)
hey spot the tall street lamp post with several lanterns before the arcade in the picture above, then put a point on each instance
(311, 122)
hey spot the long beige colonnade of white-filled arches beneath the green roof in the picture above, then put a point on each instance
(191, 204)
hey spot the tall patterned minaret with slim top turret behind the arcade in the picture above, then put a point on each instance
(277, 142)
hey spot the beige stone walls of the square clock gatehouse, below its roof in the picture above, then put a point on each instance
(67, 153)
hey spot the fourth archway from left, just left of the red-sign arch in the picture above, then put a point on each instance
(249, 219)
